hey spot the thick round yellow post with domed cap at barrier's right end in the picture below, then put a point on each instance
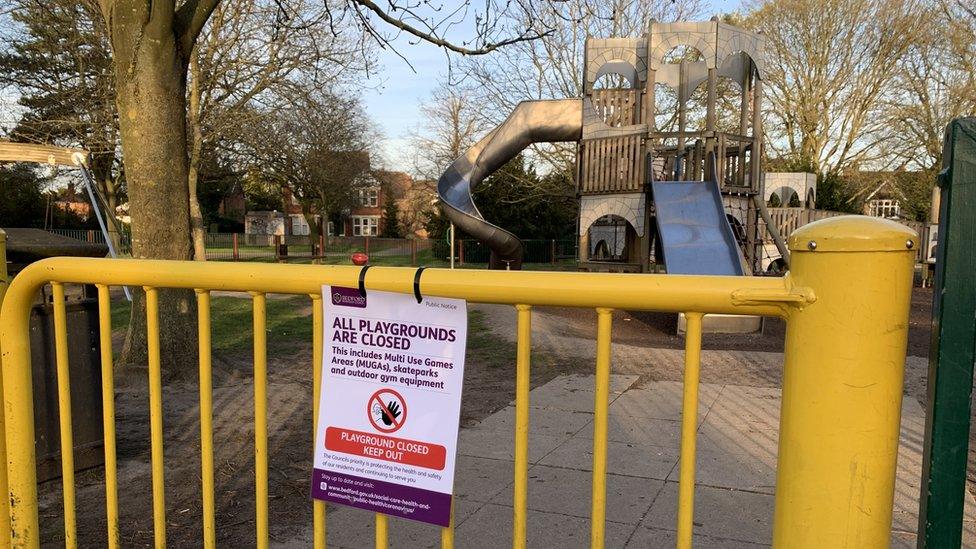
(842, 383)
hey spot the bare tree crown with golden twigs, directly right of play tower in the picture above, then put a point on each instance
(829, 65)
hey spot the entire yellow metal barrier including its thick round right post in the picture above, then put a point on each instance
(846, 306)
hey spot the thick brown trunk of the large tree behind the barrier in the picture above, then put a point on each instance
(151, 97)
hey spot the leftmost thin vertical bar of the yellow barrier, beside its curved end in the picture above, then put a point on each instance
(64, 415)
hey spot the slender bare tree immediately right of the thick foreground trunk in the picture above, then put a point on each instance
(248, 61)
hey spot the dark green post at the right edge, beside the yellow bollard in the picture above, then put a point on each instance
(953, 350)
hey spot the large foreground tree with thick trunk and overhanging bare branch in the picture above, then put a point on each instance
(152, 45)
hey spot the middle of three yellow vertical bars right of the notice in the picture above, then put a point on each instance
(601, 404)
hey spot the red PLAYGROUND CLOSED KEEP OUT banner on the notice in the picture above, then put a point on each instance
(397, 450)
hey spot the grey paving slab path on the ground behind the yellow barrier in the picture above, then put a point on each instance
(737, 438)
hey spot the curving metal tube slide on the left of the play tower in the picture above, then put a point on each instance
(531, 122)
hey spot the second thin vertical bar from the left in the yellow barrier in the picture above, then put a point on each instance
(108, 415)
